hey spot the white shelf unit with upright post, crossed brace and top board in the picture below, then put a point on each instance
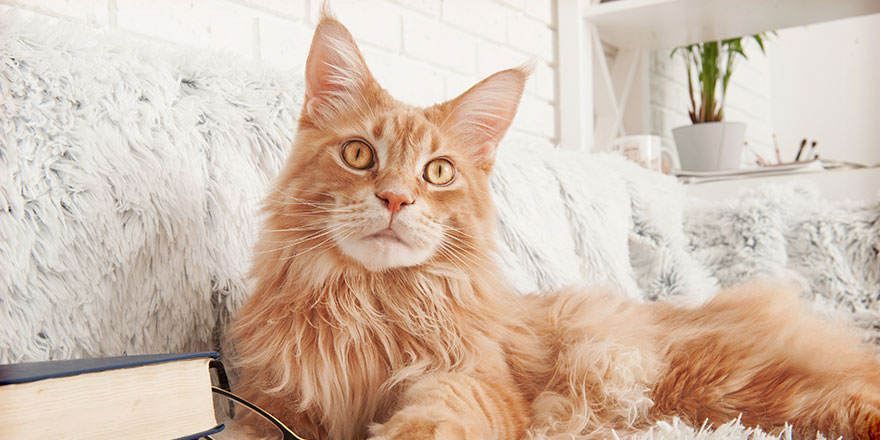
(593, 93)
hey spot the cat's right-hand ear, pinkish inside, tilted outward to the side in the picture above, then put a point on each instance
(480, 116)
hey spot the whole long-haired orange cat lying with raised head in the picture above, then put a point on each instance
(378, 311)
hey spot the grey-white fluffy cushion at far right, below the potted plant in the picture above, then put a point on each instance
(830, 249)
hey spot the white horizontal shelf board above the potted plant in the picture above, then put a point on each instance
(657, 24)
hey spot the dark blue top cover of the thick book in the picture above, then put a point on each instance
(34, 371)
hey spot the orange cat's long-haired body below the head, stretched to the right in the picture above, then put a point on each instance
(572, 362)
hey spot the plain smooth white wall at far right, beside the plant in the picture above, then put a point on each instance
(825, 83)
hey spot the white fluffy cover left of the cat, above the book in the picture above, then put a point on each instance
(131, 176)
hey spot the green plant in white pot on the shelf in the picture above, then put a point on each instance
(711, 143)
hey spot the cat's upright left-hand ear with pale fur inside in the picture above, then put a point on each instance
(336, 74)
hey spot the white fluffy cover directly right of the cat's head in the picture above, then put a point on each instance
(593, 220)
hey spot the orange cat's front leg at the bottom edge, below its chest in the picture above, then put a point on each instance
(457, 406)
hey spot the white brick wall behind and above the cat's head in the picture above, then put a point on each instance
(422, 51)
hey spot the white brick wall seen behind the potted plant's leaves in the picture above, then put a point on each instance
(748, 99)
